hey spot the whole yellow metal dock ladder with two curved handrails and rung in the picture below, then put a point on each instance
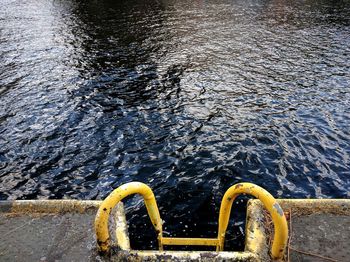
(270, 203)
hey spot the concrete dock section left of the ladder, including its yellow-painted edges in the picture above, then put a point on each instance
(53, 230)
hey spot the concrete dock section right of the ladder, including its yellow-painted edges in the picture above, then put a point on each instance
(319, 229)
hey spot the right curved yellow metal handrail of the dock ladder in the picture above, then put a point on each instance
(270, 203)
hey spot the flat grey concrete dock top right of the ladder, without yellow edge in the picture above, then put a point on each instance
(327, 235)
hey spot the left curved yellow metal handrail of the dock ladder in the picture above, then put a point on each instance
(101, 220)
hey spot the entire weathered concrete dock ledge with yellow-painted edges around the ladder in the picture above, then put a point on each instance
(49, 230)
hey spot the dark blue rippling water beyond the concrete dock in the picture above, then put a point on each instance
(187, 96)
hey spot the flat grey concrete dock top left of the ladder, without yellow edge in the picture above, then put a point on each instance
(47, 237)
